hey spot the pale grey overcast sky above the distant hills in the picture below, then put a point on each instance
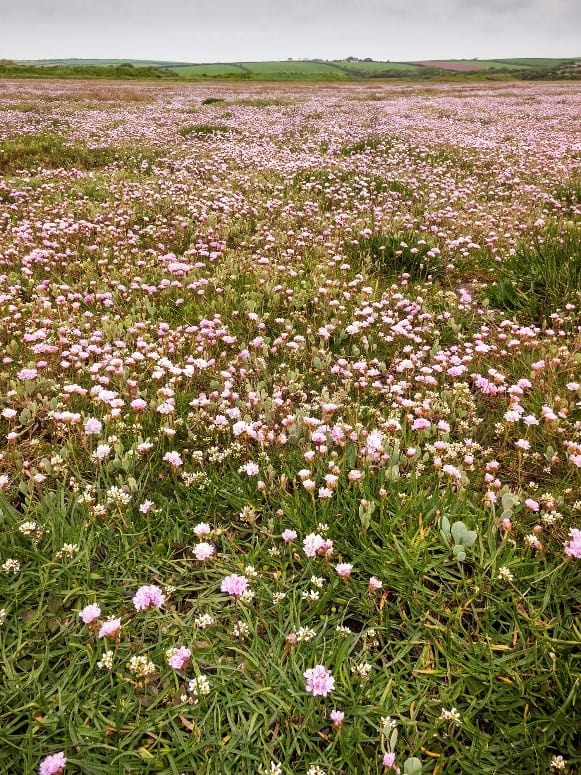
(247, 30)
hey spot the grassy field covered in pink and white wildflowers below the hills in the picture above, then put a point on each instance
(291, 428)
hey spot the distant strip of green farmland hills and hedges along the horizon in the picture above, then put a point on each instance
(297, 70)
